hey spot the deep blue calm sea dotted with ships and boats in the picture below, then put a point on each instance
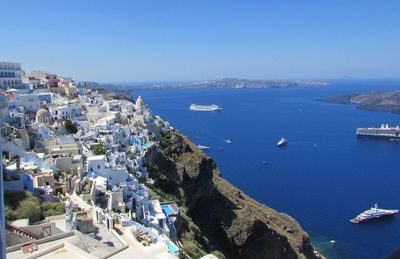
(324, 177)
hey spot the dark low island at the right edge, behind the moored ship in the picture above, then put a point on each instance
(382, 101)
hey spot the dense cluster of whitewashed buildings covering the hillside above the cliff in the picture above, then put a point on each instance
(67, 142)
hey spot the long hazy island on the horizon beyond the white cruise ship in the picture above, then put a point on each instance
(220, 83)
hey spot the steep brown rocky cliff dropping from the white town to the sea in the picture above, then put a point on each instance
(224, 218)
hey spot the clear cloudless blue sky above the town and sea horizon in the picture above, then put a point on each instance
(111, 41)
